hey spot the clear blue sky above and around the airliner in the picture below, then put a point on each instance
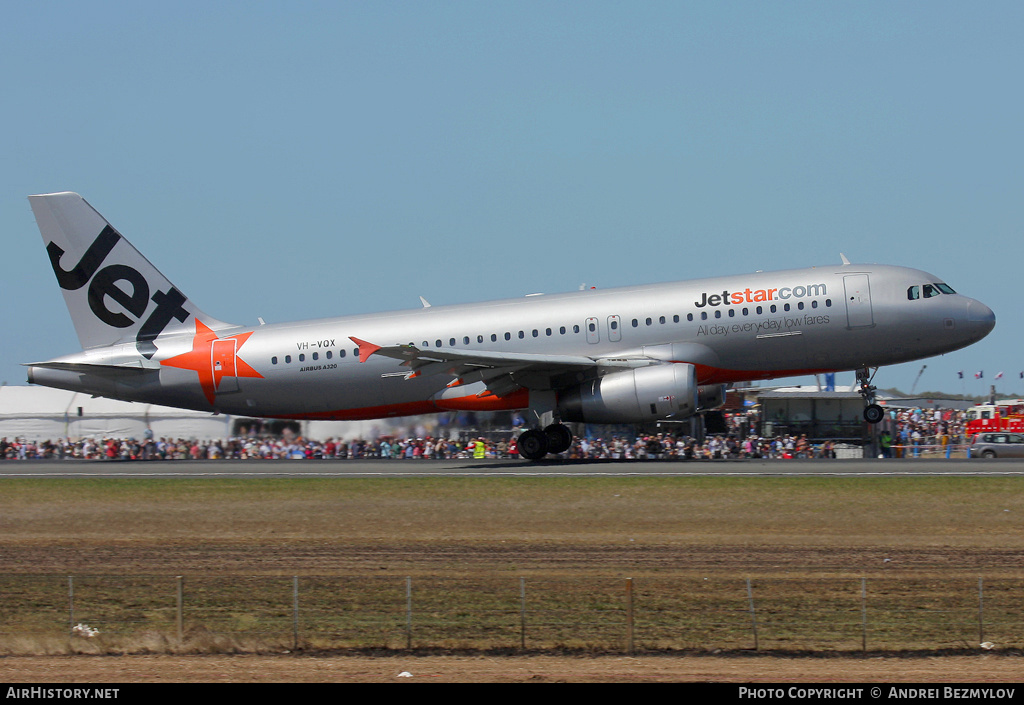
(313, 159)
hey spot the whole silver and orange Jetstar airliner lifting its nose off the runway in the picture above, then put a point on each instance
(619, 356)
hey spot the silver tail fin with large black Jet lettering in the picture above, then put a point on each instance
(114, 295)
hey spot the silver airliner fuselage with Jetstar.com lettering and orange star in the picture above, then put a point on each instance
(732, 329)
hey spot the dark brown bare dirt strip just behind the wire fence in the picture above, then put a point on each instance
(557, 558)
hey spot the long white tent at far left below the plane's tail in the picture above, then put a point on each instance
(39, 413)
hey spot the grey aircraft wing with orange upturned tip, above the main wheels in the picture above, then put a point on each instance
(502, 372)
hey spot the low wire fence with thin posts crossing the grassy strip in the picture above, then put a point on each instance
(146, 613)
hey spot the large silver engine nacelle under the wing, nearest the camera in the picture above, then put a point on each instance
(646, 394)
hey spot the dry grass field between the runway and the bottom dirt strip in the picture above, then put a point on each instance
(834, 564)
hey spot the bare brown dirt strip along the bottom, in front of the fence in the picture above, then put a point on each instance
(288, 669)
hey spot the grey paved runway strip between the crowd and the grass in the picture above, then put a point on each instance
(507, 469)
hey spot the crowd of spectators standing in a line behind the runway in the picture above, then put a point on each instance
(905, 433)
